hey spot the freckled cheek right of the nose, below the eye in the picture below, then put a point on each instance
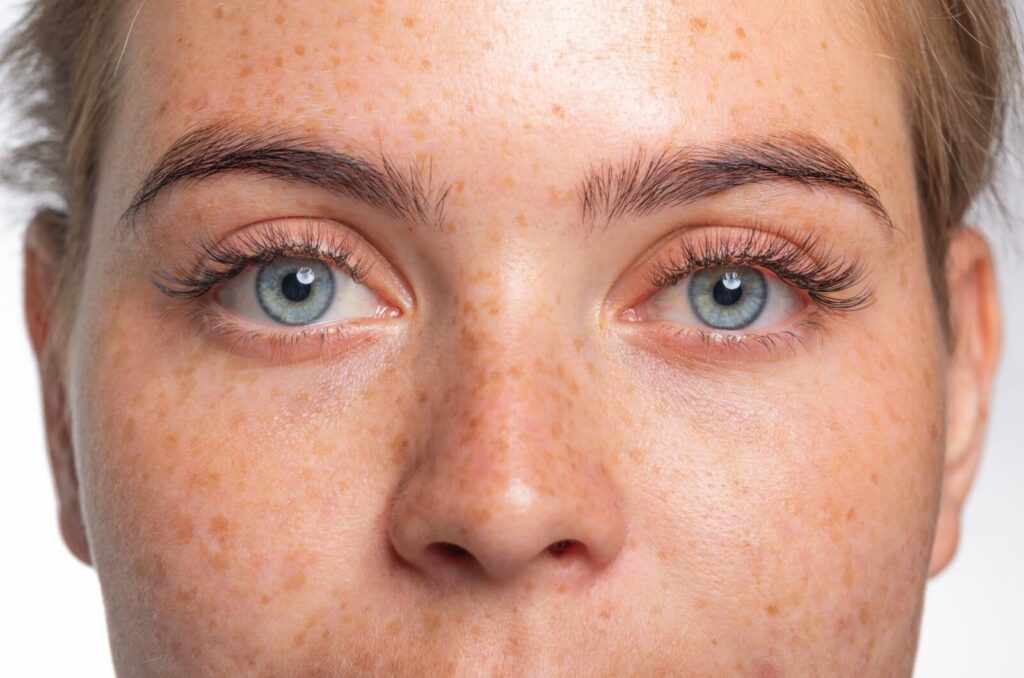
(802, 498)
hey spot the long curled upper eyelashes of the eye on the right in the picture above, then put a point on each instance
(804, 265)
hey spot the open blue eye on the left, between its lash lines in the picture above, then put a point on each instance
(298, 292)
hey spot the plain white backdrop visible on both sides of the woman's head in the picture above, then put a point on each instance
(52, 616)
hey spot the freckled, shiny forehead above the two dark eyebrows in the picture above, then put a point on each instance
(508, 84)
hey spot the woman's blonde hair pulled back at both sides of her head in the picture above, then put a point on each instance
(959, 57)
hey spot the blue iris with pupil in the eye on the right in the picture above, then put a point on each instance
(729, 299)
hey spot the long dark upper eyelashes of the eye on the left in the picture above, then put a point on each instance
(220, 262)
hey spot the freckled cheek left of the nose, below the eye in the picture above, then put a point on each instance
(212, 487)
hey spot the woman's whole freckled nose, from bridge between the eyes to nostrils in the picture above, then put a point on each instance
(509, 478)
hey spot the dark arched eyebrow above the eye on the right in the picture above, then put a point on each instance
(648, 183)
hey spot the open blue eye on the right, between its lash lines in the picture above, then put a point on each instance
(730, 299)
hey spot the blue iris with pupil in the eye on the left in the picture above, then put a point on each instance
(295, 291)
